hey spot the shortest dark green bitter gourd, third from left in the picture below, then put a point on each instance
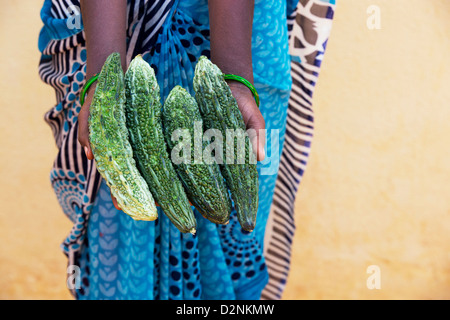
(203, 182)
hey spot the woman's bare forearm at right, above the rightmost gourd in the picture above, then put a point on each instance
(231, 24)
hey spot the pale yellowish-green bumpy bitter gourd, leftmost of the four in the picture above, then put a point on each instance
(109, 141)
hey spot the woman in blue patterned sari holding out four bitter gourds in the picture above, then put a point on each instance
(120, 258)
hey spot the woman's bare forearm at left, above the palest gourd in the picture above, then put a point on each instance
(105, 30)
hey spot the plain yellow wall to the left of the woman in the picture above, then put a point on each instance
(31, 224)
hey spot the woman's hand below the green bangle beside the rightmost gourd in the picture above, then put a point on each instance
(253, 118)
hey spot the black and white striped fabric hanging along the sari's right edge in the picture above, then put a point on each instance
(309, 31)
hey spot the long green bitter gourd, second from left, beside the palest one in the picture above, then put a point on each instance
(143, 114)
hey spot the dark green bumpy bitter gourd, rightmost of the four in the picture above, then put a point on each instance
(220, 111)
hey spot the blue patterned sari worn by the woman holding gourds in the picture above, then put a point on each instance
(120, 258)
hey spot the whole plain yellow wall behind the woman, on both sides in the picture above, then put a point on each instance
(374, 192)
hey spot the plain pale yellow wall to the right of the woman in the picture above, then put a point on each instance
(376, 189)
